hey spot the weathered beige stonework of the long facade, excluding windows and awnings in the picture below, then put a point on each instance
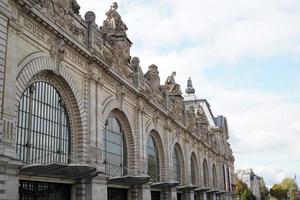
(94, 73)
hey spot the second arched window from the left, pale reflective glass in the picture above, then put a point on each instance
(115, 148)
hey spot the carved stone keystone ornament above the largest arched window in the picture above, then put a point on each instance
(57, 52)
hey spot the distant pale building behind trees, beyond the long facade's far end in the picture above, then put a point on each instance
(252, 180)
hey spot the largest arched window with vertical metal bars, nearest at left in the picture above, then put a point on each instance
(43, 131)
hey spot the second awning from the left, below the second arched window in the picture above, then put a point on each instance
(128, 180)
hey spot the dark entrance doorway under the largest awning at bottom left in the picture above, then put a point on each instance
(34, 190)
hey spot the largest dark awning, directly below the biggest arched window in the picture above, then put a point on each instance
(59, 170)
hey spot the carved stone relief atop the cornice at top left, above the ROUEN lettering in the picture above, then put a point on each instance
(62, 11)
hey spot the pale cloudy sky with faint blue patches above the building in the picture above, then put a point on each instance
(243, 57)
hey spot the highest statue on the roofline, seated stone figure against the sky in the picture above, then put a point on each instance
(113, 25)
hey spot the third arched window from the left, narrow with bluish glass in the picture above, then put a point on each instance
(153, 159)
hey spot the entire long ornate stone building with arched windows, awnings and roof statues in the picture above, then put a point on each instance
(79, 119)
